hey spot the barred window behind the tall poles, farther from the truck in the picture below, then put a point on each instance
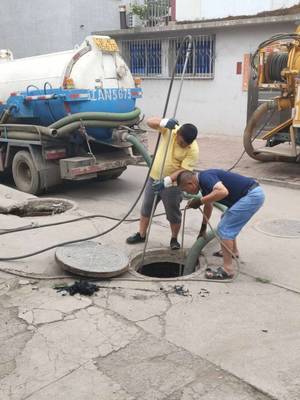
(201, 61)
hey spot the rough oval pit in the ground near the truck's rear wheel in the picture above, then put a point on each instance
(41, 207)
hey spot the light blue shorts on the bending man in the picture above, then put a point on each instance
(236, 217)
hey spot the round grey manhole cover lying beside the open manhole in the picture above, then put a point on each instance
(92, 259)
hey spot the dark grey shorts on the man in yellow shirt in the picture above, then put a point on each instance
(171, 198)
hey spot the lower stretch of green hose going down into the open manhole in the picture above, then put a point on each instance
(195, 250)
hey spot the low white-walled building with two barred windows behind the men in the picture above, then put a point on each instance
(215, 94)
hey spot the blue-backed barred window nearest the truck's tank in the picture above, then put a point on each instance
(143, 56)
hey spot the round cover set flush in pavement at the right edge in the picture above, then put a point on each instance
(285, 228)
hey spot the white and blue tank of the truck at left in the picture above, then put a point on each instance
(91, 78)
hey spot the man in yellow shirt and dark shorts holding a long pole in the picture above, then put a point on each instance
(182, 155)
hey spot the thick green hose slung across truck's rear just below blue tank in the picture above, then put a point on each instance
(101, 116)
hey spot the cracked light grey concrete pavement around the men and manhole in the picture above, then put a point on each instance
(138, 339)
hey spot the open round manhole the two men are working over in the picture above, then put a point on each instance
(160, 264)
